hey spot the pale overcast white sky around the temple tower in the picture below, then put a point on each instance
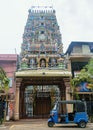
(75, 19)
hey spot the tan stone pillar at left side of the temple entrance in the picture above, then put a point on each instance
(16, 110)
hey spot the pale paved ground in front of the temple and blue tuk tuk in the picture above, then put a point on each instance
(33, 124)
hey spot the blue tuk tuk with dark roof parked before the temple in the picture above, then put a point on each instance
(73, 111)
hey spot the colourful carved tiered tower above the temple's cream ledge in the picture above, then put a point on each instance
(42, 44)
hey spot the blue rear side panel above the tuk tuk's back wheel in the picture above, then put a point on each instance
(80, 116)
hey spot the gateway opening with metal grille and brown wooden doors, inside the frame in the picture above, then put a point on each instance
(37, 100)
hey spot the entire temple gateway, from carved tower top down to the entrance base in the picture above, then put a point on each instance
(42, 77)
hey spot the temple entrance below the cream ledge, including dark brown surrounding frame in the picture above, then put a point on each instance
(37, 95)
